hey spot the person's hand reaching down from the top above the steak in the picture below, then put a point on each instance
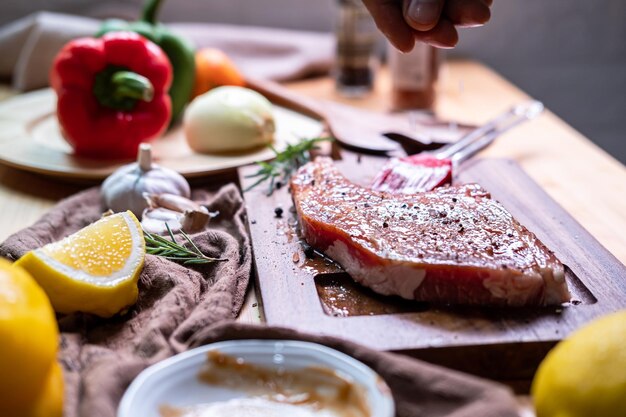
(431, 21)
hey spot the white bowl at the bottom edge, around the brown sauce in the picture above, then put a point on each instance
(175, 381)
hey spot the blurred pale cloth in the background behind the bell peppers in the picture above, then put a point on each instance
(29, 46)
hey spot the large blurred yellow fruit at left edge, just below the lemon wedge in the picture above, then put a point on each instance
(28, 340)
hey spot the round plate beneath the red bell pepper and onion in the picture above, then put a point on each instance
(30, 139)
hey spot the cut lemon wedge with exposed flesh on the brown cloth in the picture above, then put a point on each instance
(95, 270)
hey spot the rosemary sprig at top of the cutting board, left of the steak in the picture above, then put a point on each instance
(284, 163)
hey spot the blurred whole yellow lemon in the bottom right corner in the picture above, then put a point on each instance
(585, 375)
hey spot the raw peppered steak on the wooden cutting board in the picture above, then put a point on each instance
(453, 245)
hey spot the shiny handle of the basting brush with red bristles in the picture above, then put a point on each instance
(517, 114)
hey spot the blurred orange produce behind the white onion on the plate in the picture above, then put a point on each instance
(213, 69)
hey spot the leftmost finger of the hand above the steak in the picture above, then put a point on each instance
(388, 17)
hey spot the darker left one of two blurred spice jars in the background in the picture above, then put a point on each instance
(356, 60)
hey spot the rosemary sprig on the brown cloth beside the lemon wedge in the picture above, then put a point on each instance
(160, 246)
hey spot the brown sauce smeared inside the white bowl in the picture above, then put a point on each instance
(275, 392)
